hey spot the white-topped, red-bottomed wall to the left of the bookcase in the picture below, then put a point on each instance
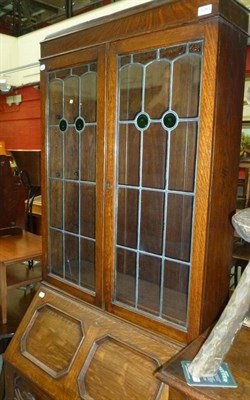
(19, 59)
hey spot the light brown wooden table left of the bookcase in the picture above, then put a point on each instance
(15, 249)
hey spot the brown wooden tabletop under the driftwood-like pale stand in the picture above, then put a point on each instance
(238, 359)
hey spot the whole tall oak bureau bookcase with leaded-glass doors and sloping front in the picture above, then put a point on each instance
(141, 120)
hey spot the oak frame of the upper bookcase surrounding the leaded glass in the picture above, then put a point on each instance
(161, 24)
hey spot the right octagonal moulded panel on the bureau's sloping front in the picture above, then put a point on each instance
(114, 369)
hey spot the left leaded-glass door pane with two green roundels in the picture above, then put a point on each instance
(72, 183)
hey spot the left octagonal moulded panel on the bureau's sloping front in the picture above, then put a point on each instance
(51, 340)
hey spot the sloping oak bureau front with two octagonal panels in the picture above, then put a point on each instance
(68, 349)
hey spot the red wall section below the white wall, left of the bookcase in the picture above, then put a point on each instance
(20, 124)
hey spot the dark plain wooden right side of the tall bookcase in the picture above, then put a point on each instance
(226, 148)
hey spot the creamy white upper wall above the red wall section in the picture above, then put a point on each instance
(19, 57)
